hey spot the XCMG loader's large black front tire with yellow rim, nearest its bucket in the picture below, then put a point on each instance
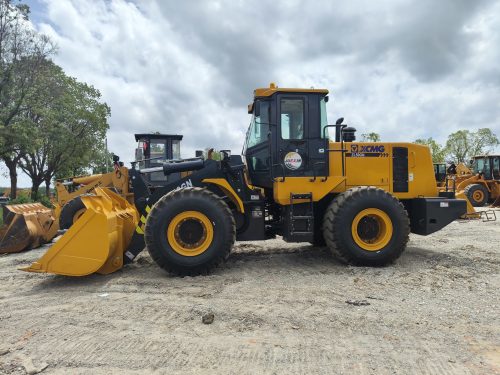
(162, 248)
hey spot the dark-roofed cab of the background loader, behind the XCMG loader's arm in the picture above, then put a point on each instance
(153, 150)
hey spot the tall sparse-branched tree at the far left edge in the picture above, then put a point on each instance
(22, 51)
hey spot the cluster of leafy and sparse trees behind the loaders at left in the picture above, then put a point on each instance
(51, 125)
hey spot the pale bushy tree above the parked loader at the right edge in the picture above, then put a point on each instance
(463, 145)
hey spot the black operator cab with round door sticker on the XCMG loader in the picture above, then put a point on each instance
(288, 134)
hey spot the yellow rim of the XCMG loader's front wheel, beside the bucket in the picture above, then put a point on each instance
(190, 233)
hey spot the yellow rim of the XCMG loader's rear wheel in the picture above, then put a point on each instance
(372, 229)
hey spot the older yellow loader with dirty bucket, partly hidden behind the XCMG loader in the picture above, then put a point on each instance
(30, 225)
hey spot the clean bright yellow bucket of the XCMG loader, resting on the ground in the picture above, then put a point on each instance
(94, 243)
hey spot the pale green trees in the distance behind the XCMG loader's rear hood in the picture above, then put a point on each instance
(460, 147)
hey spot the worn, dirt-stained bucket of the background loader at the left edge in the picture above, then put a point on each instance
(26, 226)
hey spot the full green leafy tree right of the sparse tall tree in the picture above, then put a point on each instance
(68, 126)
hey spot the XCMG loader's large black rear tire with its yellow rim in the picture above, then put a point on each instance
(340, 228)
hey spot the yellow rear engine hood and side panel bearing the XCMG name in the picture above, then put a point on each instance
(365, 164)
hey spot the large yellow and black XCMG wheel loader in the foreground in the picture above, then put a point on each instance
(359, 199)
